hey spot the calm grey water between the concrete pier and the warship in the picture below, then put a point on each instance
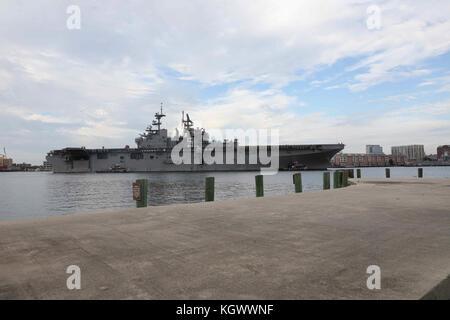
(38, 194)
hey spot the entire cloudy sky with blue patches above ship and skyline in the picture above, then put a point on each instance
(358, 72)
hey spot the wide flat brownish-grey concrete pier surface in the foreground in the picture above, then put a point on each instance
(313, 245)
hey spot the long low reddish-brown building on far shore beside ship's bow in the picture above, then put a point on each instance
(351, 160)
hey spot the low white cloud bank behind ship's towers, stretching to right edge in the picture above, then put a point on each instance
(421, 123)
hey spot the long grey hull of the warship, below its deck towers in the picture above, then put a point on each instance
(80, 160)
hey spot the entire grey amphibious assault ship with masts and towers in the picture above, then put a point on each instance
(154, 153)
